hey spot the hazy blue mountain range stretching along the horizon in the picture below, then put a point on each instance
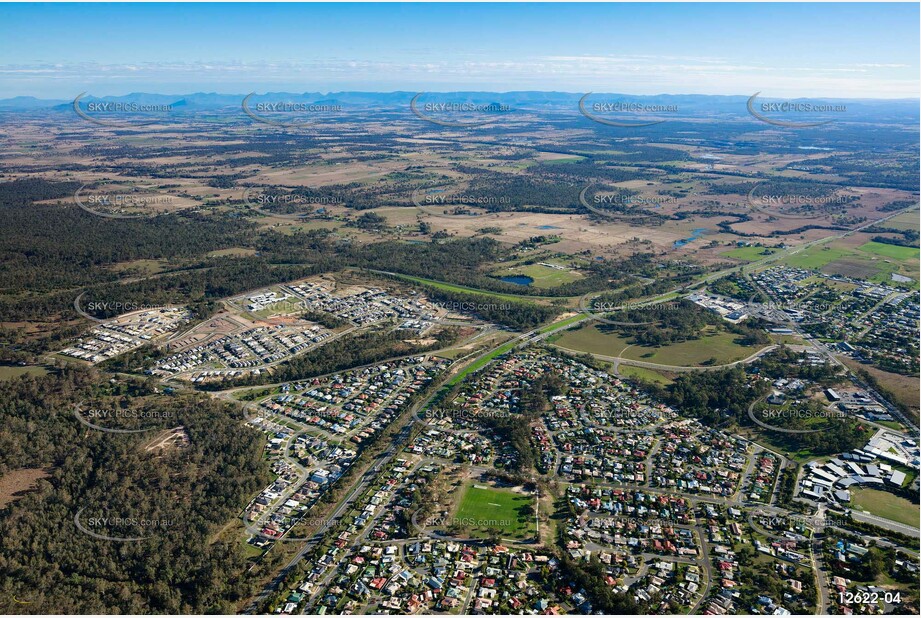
(688, 105)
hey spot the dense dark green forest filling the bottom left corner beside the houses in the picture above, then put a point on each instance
(175, 498)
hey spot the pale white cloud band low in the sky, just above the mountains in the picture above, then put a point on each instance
(638, 74)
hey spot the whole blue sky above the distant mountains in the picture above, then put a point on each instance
(860, 50)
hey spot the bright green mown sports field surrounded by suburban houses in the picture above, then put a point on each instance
(482, 508)
